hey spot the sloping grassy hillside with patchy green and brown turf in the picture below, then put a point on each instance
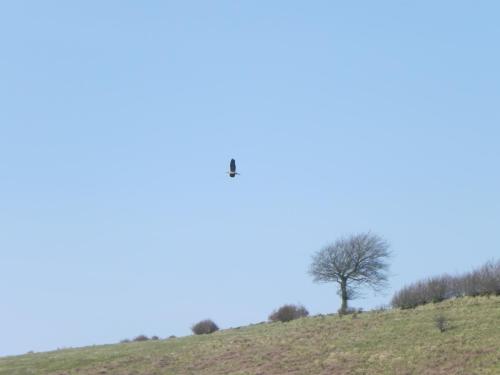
(391, 342)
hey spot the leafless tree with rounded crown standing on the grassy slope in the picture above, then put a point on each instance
(353, 262)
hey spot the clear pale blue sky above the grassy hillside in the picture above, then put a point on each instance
(118, 120)
